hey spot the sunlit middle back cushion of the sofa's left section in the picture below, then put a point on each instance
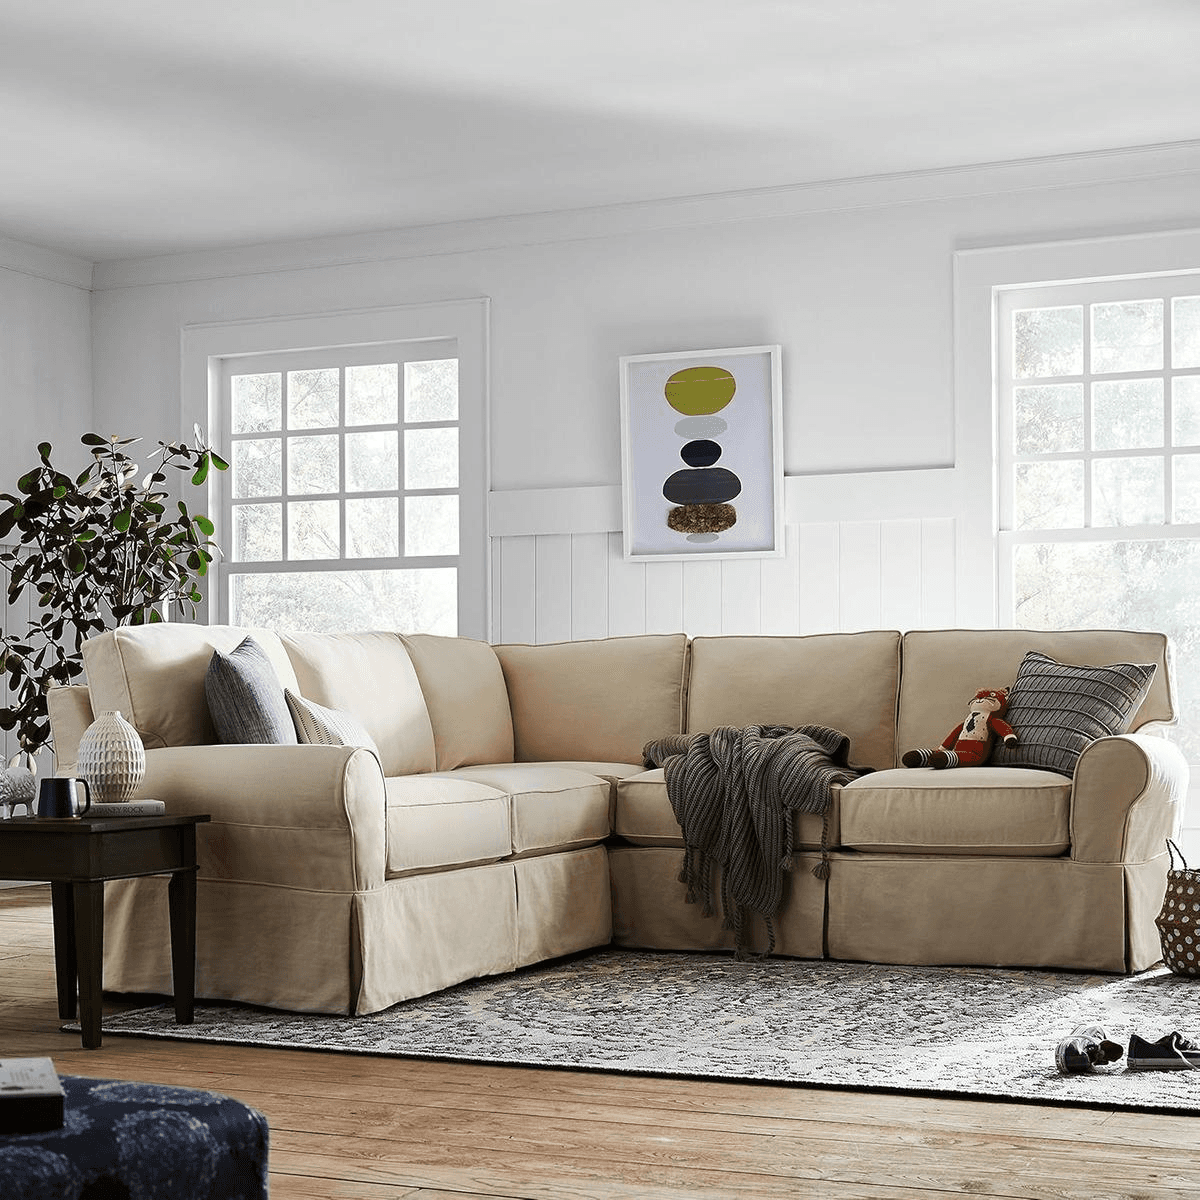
(371, 677)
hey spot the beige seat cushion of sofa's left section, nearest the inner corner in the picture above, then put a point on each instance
(550, 807)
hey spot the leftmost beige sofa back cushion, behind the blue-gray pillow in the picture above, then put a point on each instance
(154, 676)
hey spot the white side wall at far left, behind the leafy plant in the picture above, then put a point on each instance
(45, 375)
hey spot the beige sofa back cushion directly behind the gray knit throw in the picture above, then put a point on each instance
(847, 682)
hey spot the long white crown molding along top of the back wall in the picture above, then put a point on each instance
(615, 220)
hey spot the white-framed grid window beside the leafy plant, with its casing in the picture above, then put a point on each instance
(356, 497)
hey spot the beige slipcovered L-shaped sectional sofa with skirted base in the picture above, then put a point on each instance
(508, 818)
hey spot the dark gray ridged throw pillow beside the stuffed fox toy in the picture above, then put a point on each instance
(1059, 710)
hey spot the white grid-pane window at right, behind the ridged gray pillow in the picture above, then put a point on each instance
(1100, 464)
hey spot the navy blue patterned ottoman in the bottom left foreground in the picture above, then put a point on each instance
(140, 1142)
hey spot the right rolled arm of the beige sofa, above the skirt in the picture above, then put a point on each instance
(1127, 800)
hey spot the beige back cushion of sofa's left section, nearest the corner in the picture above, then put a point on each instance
(469, 706)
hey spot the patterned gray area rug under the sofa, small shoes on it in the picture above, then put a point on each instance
(964, 1031)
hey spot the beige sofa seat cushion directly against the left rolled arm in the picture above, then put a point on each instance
(435, 821)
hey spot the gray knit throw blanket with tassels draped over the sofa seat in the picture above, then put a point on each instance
(735, 794)
